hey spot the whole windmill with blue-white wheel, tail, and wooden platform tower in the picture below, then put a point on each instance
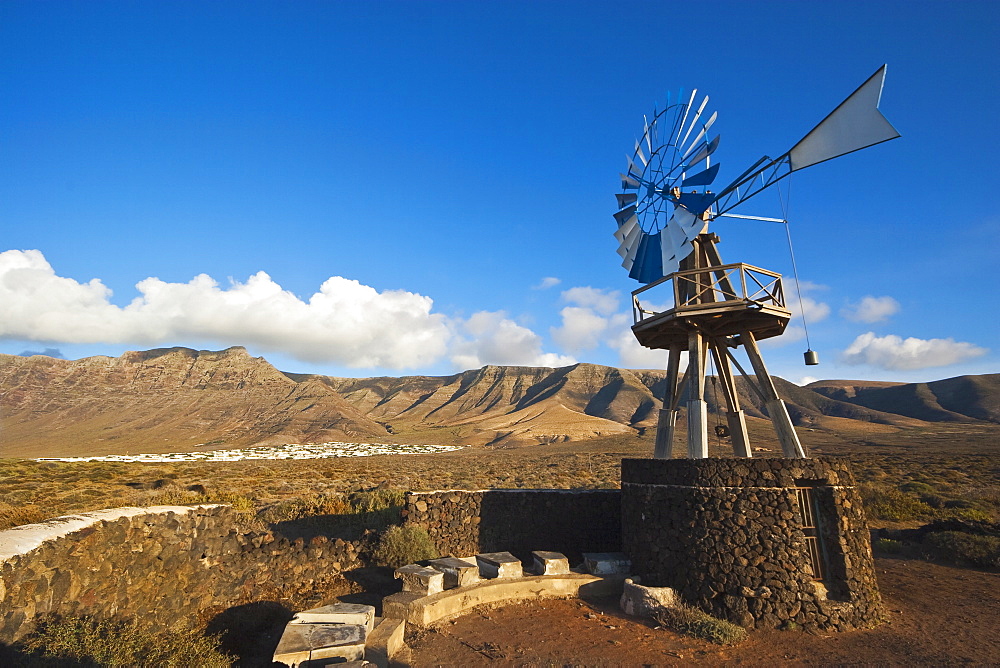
(663, 215)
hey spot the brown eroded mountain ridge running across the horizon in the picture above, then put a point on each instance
(170, 399)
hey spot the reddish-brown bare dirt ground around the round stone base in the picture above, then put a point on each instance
(935, 614)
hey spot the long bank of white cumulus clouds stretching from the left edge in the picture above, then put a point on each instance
(345, 322)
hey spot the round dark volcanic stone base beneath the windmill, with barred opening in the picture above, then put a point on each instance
(730, 536)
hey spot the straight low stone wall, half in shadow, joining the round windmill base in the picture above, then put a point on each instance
(462, 522)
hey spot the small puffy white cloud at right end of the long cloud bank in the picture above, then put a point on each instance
(495, 339)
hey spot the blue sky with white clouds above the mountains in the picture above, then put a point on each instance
(392, 188)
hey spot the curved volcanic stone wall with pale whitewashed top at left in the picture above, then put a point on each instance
(159, 565)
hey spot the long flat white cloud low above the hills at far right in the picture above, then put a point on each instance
(895, 353)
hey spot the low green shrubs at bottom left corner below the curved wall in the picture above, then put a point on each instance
(83, 641)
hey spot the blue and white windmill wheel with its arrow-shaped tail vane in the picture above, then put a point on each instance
(666, 203)
